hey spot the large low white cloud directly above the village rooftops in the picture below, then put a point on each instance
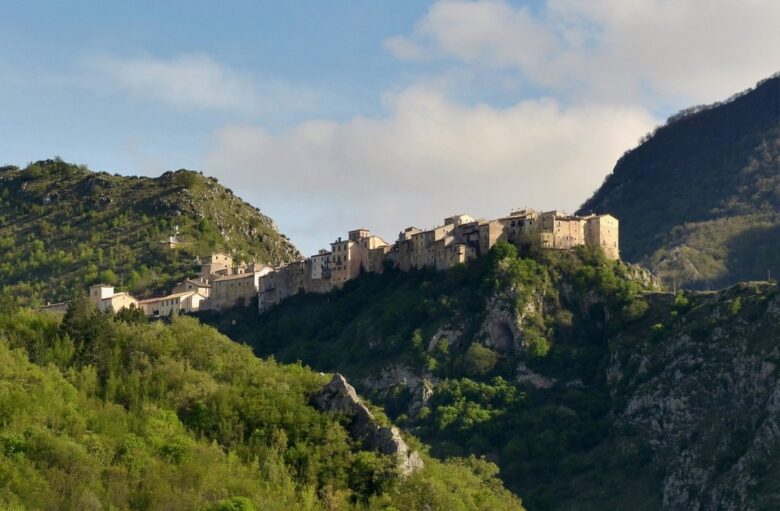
(427, 158)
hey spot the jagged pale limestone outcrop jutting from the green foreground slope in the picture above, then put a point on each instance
(340, 397)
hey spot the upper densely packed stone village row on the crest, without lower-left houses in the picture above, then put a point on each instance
(459, 239)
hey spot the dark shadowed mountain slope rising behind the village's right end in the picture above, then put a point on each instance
(699, 199)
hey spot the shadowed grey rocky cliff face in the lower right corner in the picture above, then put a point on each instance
(704, 398)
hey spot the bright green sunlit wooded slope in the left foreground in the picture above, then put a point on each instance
(103, 411)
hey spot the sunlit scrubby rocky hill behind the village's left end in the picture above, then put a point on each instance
(64, 227)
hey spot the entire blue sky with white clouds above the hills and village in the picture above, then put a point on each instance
(381, 114)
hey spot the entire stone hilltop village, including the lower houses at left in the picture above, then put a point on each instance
(222, 284)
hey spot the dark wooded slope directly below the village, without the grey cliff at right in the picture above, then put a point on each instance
(433, 324)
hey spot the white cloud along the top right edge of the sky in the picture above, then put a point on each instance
(696, 50)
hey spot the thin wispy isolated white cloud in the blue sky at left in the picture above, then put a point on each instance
(197, 81)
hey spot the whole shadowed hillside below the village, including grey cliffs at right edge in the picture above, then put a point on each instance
(590, 388)
